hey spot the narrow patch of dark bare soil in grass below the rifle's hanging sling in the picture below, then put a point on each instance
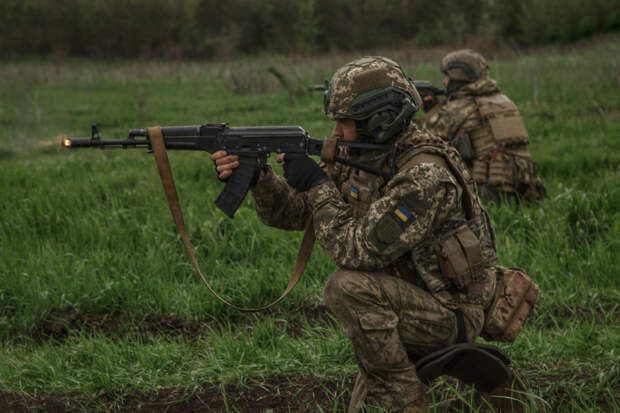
(59, 324)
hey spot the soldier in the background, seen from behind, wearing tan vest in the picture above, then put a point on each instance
(487, 129)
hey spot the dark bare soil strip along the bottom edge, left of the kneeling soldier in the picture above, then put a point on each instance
(276, 394)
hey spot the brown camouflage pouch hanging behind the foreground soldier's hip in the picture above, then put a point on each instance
(515, 297)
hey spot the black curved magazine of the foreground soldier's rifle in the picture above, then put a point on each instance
(237, 186)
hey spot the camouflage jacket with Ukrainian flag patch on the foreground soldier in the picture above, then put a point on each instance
(364, 222)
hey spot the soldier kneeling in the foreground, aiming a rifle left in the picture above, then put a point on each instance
(397, 296)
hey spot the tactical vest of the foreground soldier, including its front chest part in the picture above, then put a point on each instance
(455, 262)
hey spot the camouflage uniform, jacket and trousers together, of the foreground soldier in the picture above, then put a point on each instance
(390, 293)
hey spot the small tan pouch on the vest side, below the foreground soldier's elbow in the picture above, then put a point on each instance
(460, 258)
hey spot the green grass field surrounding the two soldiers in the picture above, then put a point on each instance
(100, 309)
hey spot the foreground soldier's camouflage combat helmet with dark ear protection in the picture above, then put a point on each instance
(375, 92)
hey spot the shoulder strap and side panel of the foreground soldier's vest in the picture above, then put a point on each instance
(455, 261)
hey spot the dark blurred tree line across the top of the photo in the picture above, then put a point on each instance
(222, 29)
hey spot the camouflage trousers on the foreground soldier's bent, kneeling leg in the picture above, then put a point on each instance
(391, 323)
